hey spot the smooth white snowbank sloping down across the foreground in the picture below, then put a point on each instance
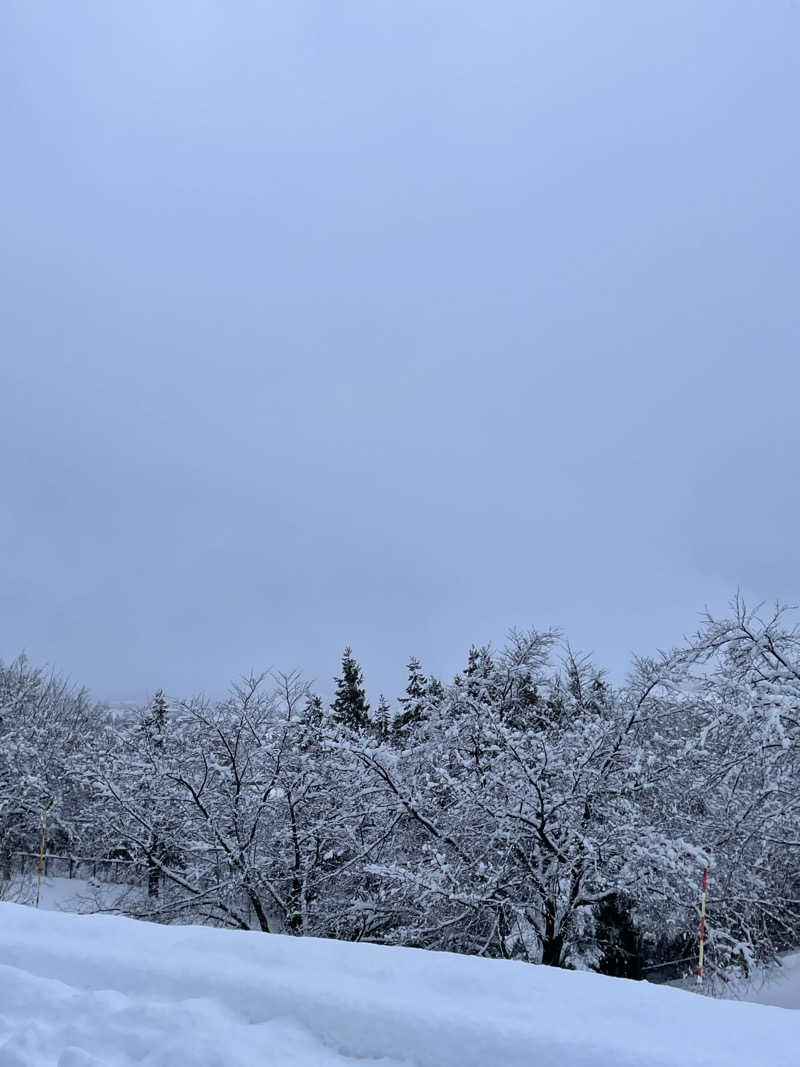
(81, 991)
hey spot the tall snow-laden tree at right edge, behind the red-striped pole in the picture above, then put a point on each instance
(740, 775)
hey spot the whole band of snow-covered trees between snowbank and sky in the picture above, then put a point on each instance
(527, 809)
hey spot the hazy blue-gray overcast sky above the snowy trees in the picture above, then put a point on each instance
(393, 325)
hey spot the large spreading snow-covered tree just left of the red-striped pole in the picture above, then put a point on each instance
(511, 835)
